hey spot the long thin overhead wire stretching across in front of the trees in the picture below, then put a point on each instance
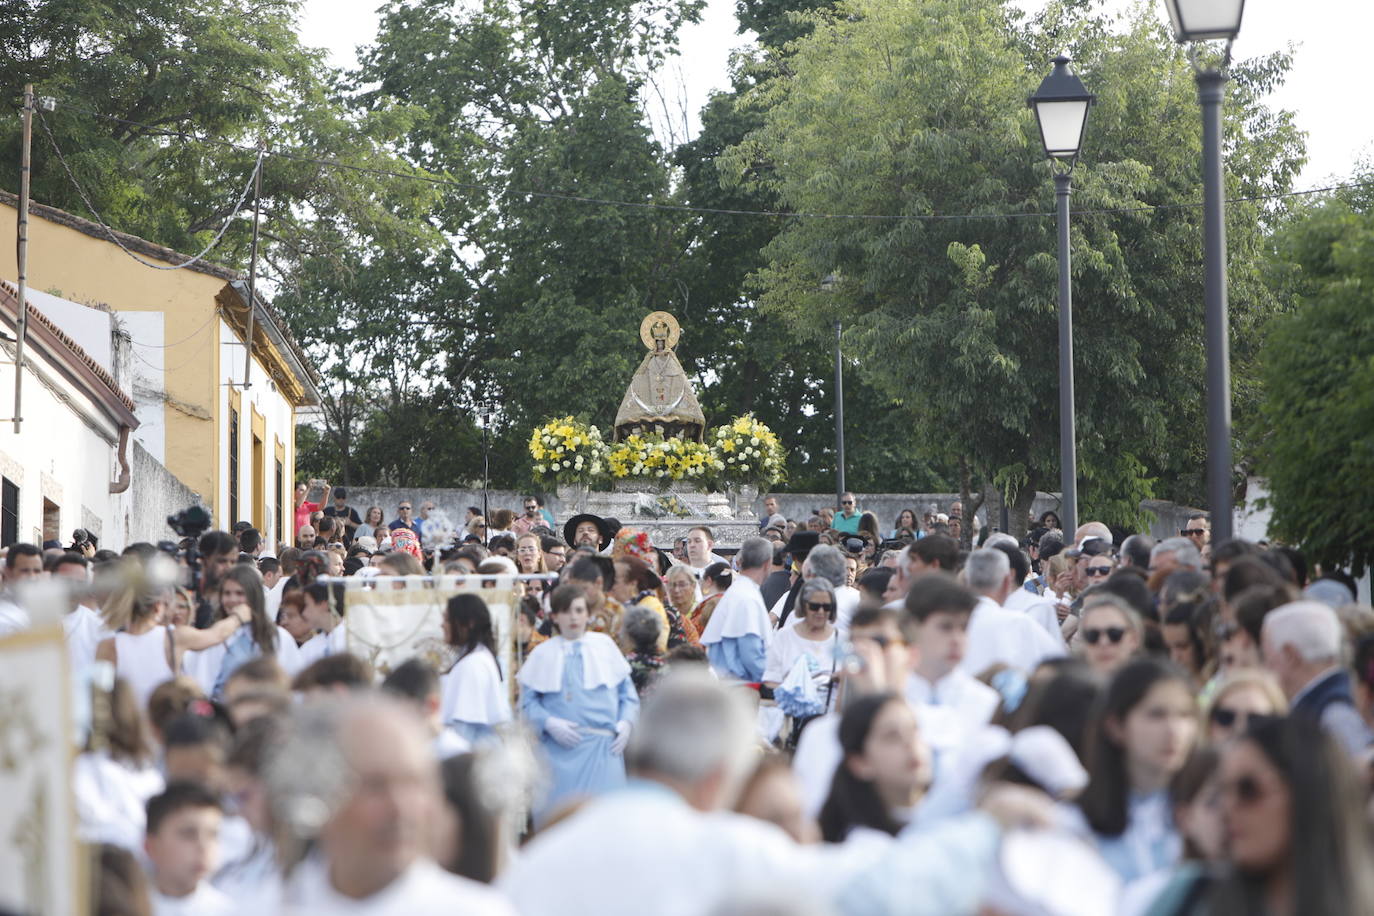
(684, 208)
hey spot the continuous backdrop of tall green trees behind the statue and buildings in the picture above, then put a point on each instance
(476, 219)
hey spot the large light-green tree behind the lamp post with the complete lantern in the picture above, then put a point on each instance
(917, 112)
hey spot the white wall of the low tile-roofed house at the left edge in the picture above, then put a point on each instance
(65, 454)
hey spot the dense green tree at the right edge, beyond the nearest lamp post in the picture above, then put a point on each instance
(1318, 370)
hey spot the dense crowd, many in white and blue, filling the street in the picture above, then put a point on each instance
(831, 718)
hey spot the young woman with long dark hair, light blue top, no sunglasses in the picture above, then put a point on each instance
(1142, 733)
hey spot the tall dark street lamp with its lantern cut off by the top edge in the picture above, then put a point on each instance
(1202, 21)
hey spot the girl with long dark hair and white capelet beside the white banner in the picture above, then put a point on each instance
(473, 697)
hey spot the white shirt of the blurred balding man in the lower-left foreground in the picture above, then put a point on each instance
(423, 891)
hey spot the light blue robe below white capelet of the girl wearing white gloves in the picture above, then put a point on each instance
(589, 768)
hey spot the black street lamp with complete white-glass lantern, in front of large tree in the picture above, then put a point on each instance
(1061, 111)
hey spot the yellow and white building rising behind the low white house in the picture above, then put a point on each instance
(234, 444)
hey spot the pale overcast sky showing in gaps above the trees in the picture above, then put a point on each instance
(1327, 89)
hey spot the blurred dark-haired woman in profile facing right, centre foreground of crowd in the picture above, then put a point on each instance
(884, 772)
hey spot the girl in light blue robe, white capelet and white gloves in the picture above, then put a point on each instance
(578, 694)
